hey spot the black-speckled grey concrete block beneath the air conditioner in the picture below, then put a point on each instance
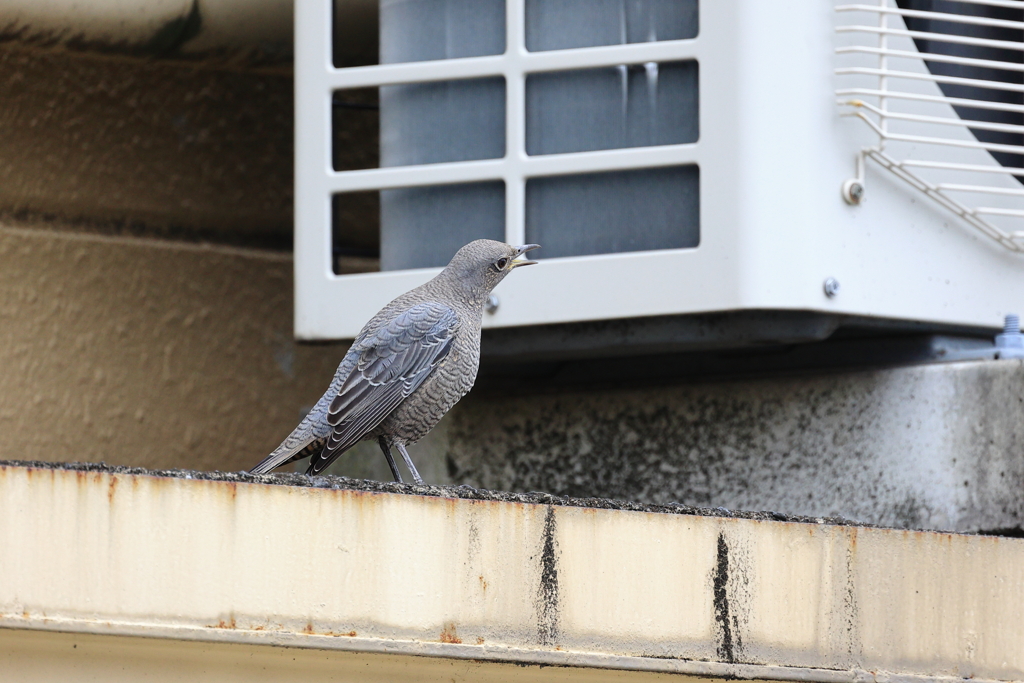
(935, 447)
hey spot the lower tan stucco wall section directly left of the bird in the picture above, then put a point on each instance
(149, 353)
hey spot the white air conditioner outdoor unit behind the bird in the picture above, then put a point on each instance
(673, 157)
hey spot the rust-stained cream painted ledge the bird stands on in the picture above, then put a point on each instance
(482, 581)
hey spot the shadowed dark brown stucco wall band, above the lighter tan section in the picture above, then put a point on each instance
(142, 147)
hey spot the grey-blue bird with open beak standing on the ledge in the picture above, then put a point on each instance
(407, 368)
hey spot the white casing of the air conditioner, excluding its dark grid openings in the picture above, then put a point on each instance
(774, 153)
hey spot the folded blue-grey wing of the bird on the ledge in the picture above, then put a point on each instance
(393, 363)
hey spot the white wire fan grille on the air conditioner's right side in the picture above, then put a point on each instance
(942, 83)
